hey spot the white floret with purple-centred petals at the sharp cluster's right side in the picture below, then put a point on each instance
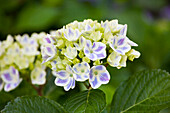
(119, 44)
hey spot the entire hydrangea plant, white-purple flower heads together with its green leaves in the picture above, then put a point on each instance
(79, 52)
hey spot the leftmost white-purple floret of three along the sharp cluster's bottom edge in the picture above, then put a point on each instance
(65, 78)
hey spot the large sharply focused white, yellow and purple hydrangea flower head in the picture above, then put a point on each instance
(80, 50)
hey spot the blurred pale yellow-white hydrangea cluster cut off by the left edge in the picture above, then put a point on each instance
(17, 56)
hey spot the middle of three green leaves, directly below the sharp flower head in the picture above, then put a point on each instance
(90, 101)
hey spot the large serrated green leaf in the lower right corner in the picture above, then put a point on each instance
(147, 91)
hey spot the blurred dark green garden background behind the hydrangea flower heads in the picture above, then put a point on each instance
(148, 25)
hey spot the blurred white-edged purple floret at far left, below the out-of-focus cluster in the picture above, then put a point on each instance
(11, 79)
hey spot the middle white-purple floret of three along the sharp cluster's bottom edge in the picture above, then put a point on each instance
(81, 71)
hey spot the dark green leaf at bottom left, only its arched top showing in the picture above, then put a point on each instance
(33, 104)
